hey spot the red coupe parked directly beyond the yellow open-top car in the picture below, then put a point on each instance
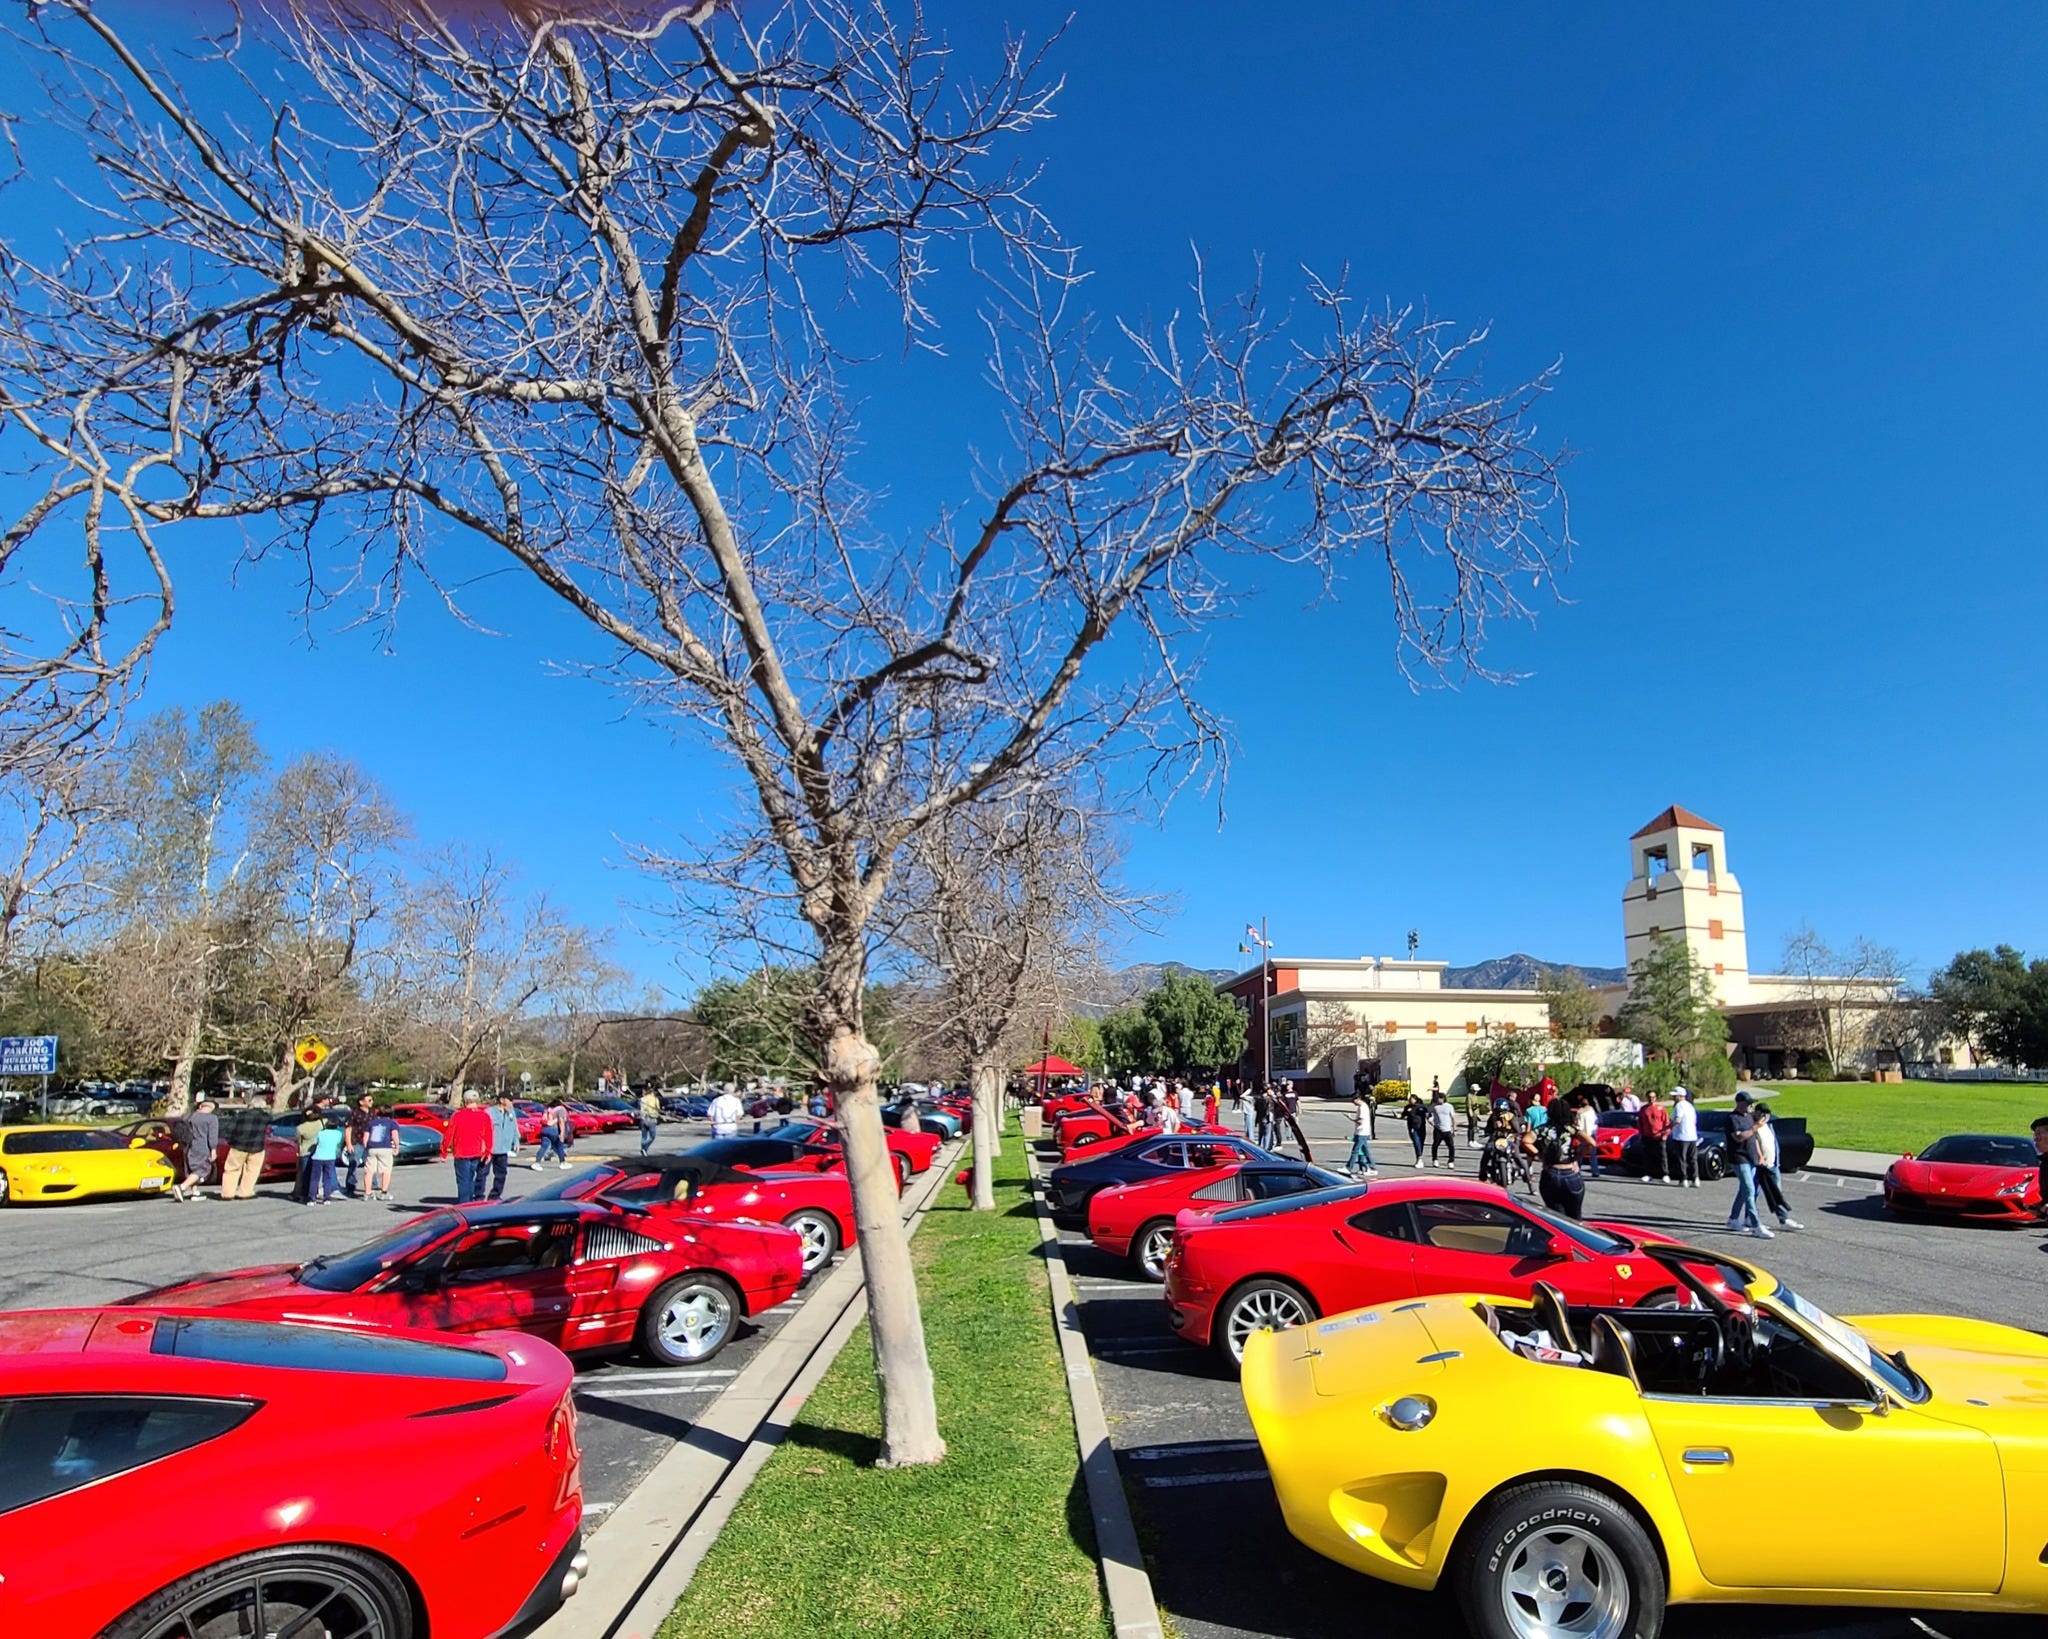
(1283, 1263)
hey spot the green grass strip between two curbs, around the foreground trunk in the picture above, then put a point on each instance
(992, 1544)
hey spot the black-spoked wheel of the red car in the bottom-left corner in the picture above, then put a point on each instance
(364, 1597)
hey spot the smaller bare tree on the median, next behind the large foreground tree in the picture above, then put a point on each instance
(1007, 909)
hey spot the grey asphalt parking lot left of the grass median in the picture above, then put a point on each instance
(99, 1253)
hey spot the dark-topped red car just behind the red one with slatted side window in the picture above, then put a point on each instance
(818, 1206)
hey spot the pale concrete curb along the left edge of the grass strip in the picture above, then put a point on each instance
(648, 1550)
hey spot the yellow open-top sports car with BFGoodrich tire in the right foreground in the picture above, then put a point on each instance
(1566, 1472)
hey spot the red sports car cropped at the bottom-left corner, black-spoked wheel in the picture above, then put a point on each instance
(462, 1521)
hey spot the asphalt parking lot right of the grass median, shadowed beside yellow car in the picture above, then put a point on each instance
(1224, 1564)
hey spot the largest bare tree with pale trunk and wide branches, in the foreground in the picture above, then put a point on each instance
(585, 296)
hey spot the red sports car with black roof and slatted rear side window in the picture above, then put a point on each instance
(581, 1275)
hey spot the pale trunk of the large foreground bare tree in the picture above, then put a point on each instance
(896, 1325)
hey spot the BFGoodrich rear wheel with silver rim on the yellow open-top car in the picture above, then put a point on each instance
(1553, 1558)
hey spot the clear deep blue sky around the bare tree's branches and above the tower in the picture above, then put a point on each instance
(1793, 263)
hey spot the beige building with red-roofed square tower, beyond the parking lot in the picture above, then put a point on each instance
(1330, 1015)
